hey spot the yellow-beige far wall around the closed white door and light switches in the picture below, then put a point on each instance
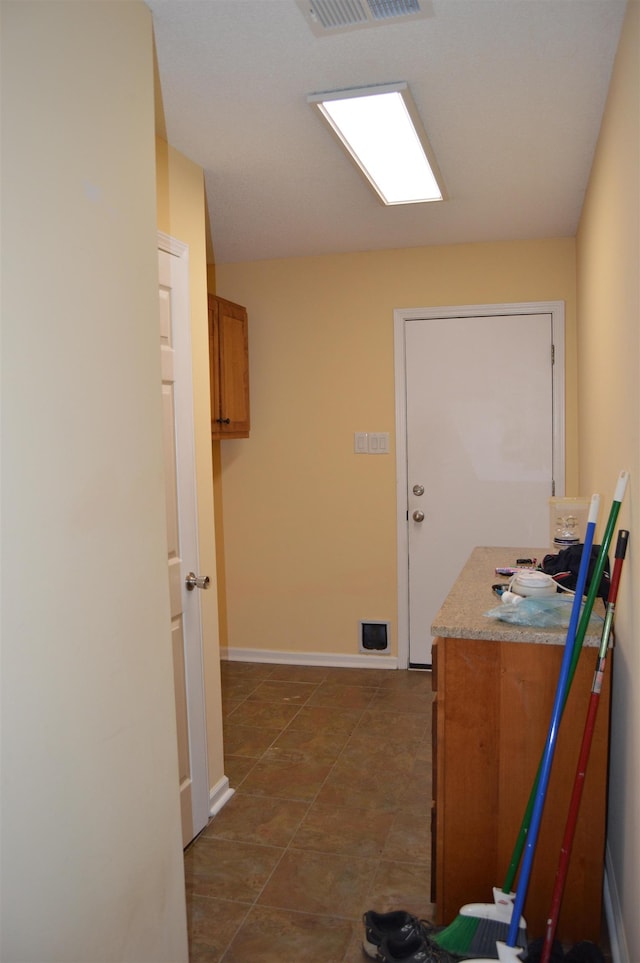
(310, 528)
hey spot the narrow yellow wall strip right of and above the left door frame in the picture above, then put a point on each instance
(181, 213)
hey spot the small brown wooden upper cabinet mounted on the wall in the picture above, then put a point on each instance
(229, 369)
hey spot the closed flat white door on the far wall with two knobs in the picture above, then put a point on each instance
(480, 410)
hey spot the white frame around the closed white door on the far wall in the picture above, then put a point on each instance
(402, 315)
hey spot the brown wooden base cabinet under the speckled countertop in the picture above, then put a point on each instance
(492, 708)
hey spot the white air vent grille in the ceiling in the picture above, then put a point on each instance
(334, 16)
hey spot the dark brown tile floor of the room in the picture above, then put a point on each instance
(331, 814)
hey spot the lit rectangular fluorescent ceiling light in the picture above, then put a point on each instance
(381, 130)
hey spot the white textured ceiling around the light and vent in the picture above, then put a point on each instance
(511, 93)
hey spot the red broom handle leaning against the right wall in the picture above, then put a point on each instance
(587, 738)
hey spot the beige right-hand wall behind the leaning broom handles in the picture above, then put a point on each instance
(608, 257)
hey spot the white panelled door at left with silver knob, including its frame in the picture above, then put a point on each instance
(182, 531)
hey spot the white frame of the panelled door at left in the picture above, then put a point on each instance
(188, 522)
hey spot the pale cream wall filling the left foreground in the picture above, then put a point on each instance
(92, 864)
